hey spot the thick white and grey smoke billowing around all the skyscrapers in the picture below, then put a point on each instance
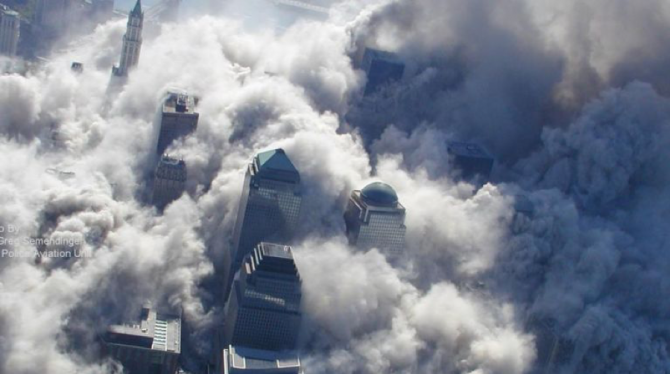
(567, 248)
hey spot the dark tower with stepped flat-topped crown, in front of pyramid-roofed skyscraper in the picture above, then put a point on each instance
(263, 310)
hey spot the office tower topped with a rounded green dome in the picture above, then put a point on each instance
(375, 218)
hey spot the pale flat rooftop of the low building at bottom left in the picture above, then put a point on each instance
(155, 331)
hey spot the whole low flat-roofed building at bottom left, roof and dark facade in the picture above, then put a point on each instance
(150, 347)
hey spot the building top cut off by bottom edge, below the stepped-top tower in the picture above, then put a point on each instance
(242, 360)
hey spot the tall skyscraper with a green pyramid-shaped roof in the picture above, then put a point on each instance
(269, 206)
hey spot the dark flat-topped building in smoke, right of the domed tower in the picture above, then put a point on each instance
(470, 161)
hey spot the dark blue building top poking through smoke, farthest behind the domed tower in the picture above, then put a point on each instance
(382, 68)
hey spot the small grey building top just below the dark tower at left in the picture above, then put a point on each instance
(169, 181)
